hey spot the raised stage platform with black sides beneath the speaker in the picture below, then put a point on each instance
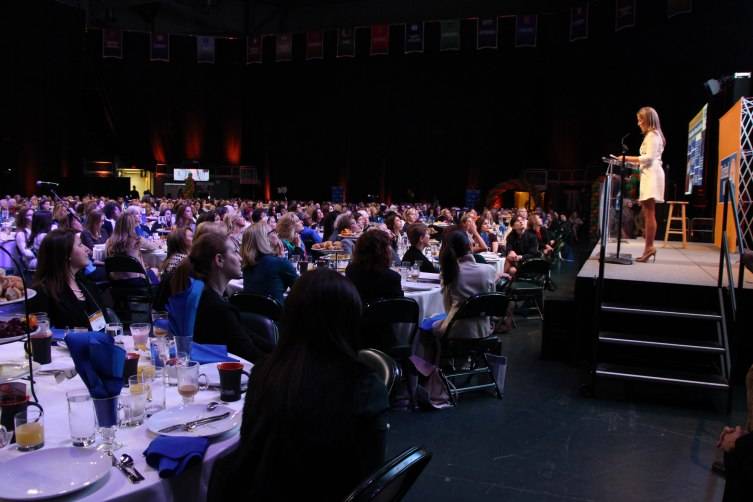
(681, 279)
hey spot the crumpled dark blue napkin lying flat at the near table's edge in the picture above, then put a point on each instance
(172, 455)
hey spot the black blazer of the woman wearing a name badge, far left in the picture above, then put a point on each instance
(68, 311)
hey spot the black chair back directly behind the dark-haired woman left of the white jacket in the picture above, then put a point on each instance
(391, 324)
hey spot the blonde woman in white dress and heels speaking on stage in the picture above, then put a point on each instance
(652, 174)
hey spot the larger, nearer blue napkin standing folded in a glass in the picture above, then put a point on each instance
(99, 363)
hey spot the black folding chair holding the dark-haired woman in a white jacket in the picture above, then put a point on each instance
(462, 357)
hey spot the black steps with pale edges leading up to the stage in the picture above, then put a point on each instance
(663, 344)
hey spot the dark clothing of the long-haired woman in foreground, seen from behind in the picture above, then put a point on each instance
(316, 447)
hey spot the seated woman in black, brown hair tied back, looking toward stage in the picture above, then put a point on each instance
(214, 260)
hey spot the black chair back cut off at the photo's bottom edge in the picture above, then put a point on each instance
(392, 481)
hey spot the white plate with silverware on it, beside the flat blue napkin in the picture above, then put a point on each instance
(189, 412)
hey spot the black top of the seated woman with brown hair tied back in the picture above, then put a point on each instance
(219, 322)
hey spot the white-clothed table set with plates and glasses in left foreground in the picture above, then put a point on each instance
(124, 417)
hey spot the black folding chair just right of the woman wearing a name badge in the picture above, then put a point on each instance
(132, 298)
